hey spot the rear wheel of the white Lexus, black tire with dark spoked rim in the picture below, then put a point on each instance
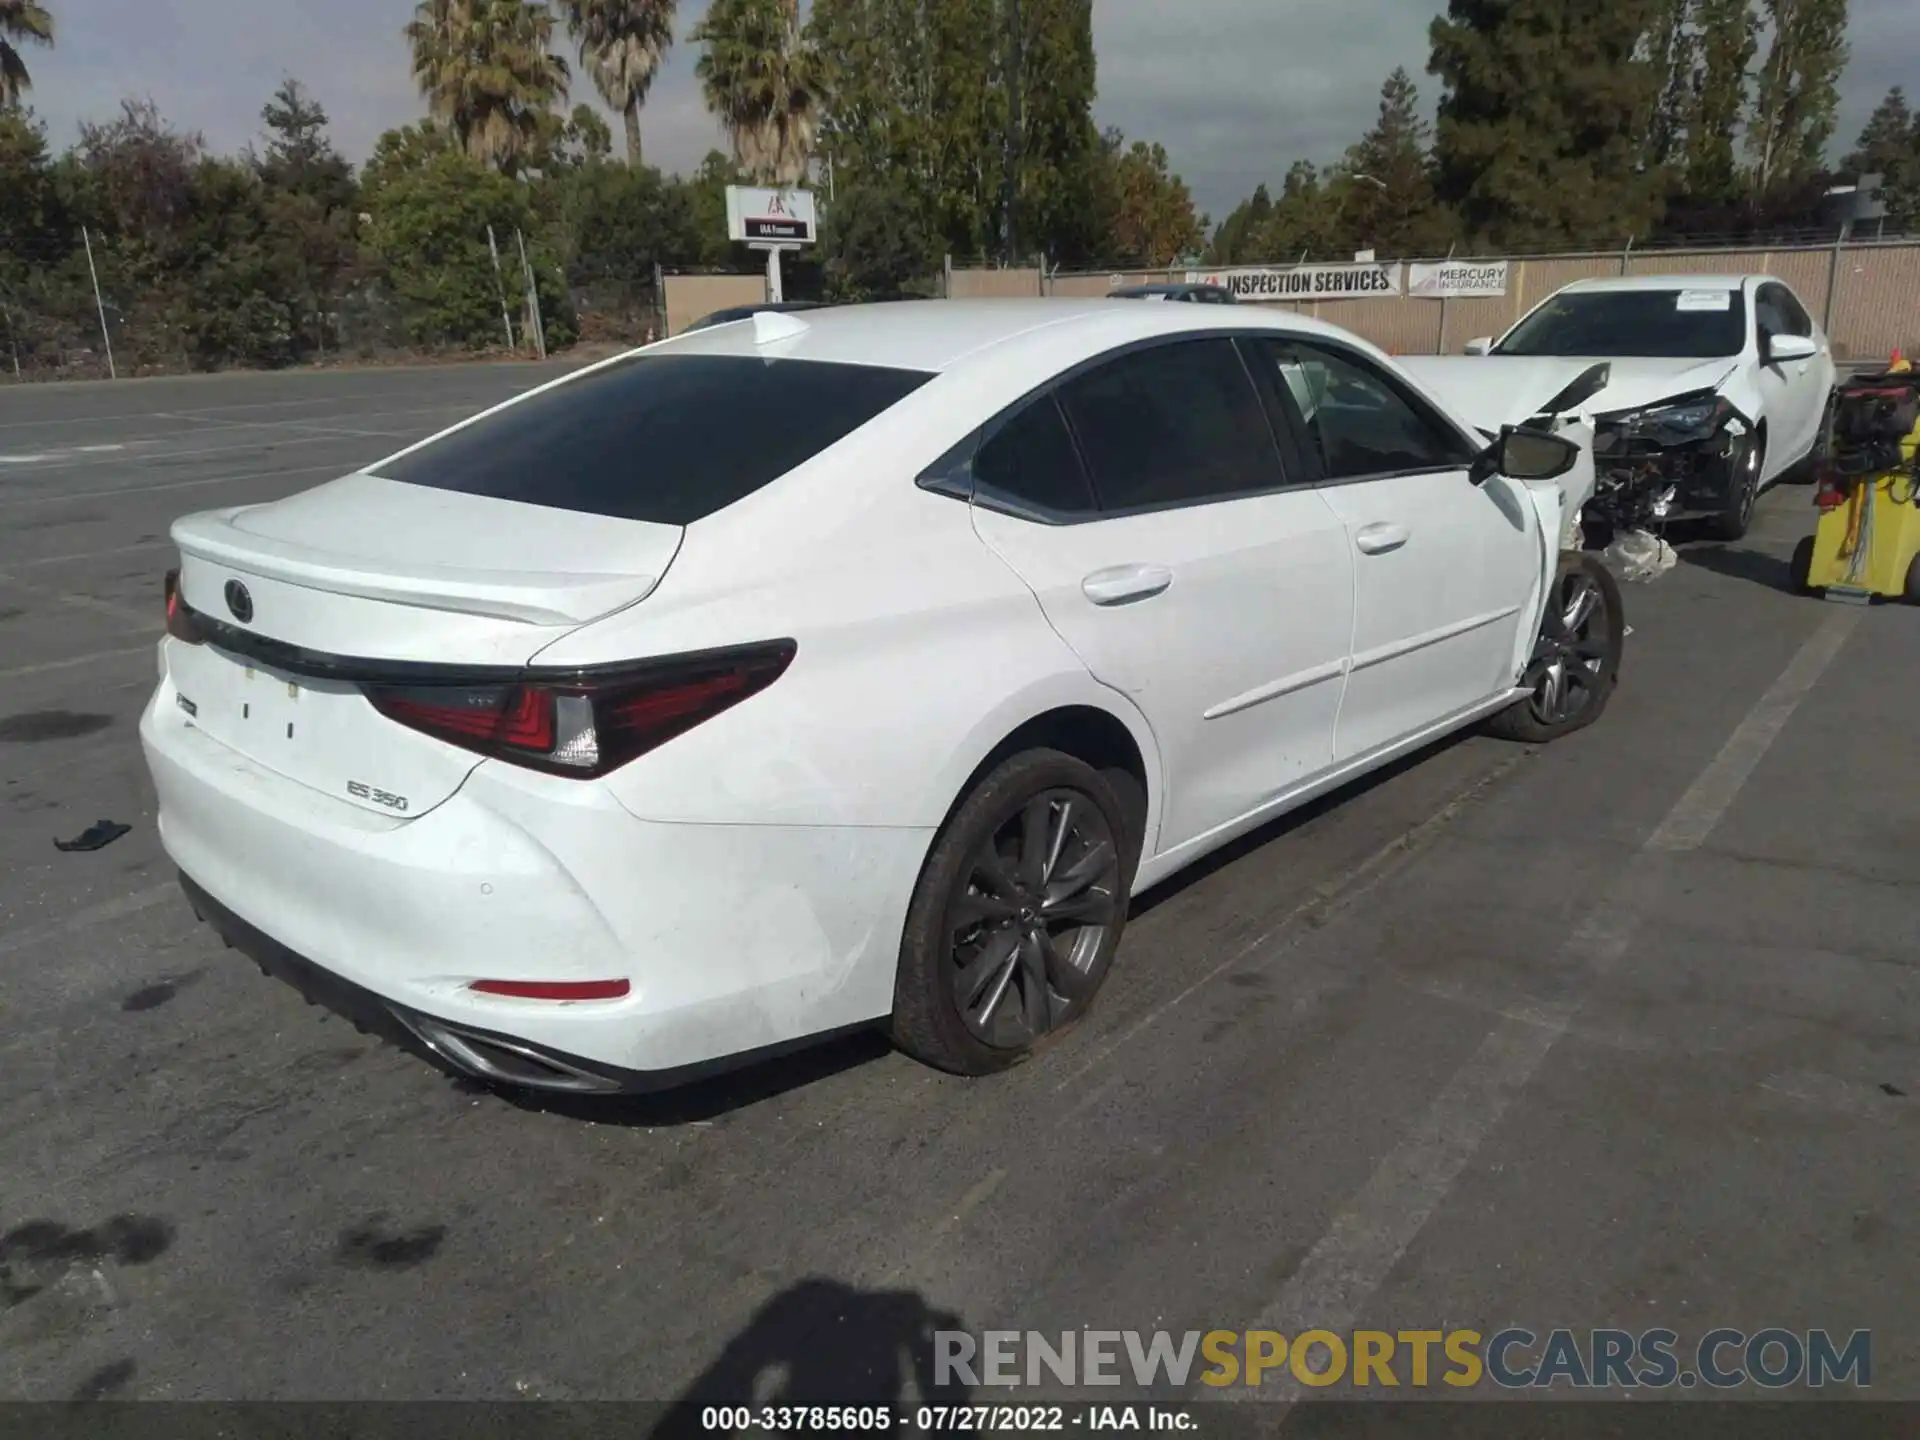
(976, 913)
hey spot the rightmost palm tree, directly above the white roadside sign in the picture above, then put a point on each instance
(763, 82)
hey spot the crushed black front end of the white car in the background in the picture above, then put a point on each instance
(1666, 462)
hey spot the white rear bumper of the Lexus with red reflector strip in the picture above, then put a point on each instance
(736, 940)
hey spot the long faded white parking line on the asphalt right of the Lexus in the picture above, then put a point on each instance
(1368, 1239)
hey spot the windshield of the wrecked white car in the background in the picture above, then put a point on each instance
(1660, 324)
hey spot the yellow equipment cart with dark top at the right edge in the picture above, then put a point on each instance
(1869, 537)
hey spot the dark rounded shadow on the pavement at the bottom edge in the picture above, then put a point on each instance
(825, 1343)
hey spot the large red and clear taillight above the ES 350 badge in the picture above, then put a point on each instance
(587, 725)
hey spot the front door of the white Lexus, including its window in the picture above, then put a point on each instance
(1445, 567)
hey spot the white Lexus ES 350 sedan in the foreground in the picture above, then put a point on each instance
(840, 669)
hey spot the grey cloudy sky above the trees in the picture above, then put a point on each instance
(1236, 89)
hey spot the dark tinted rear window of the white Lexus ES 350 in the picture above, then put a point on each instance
(663, 439)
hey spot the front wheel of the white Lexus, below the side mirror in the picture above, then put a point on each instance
(1589, 658)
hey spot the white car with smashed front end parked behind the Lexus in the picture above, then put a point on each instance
(1719, 387)
